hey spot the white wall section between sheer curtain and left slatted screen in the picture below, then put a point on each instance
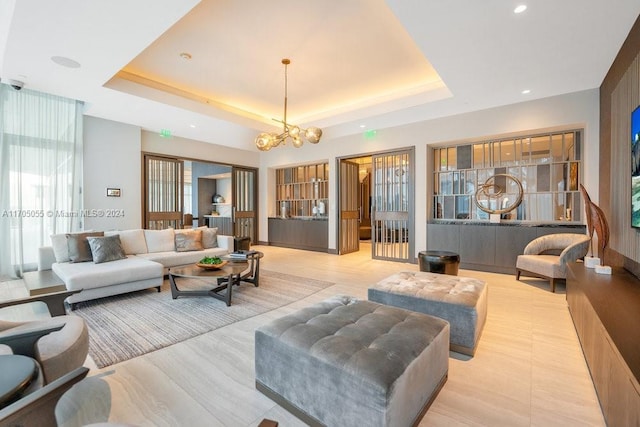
(111, 160)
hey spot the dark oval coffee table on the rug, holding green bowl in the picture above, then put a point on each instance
(222, 280)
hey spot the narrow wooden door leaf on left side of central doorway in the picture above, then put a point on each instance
(349, 207)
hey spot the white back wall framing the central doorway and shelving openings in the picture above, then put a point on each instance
(580, 109)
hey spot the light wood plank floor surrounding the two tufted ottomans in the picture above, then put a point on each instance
(528, 370)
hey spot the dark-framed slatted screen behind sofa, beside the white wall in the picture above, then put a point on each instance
(163, 193)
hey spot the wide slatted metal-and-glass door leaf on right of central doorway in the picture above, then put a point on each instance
(392, 207)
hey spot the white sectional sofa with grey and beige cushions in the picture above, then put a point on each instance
(145, 258)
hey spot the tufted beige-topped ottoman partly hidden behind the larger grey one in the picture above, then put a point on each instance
(462, 301)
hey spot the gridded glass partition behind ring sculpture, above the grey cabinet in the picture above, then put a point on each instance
(547, 165)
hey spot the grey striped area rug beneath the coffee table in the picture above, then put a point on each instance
(130, 325)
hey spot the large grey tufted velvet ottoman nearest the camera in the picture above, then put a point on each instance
(345, 362)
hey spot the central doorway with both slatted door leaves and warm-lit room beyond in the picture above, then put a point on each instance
(385, 205)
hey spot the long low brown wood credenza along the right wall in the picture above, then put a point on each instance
(606, 313)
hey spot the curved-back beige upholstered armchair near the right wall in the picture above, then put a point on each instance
(547, 256)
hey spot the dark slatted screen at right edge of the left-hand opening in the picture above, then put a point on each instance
(244, 203)
